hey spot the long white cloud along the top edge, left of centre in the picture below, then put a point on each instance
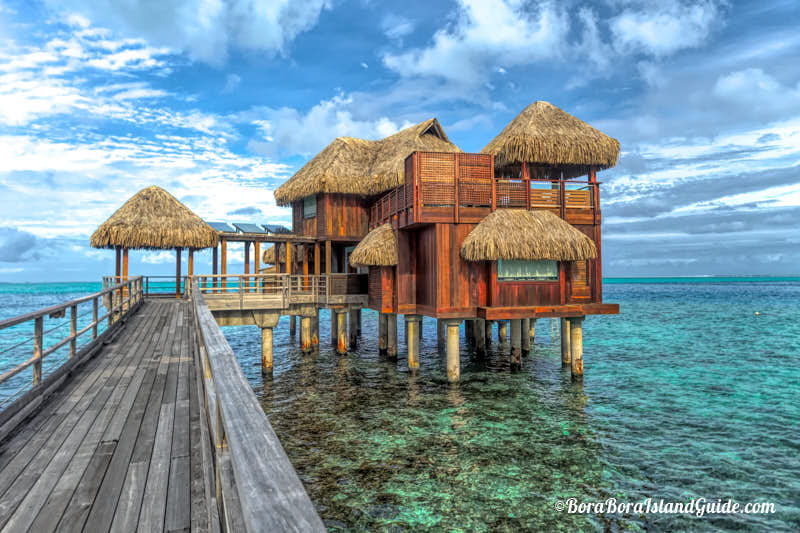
(206, 29)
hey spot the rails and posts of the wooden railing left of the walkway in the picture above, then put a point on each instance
(120, 300)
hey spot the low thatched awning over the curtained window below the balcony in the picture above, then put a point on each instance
(521, 234)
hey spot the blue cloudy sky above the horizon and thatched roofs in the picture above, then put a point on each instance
(221, 101)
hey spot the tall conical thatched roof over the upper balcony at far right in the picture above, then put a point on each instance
(547, 135)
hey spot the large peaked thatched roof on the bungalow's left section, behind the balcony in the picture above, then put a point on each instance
(365, 168)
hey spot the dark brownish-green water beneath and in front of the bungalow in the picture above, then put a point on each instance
(379, 448)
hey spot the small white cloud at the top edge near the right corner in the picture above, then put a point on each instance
(665, 27)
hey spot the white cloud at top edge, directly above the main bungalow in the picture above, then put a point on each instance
(486, 34)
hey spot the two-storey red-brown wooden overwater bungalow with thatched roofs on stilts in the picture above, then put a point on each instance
(509, 235)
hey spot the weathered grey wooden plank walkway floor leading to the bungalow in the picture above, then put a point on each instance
(117, 448)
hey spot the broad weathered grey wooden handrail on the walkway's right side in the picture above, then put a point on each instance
(257, 486)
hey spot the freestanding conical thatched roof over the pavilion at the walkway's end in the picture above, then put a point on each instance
(154, 219)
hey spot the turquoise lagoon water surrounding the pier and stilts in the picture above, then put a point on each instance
(688, 393)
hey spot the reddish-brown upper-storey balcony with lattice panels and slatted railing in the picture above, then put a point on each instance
(462, 188)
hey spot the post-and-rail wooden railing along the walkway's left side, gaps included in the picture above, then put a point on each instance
(80, 328)
